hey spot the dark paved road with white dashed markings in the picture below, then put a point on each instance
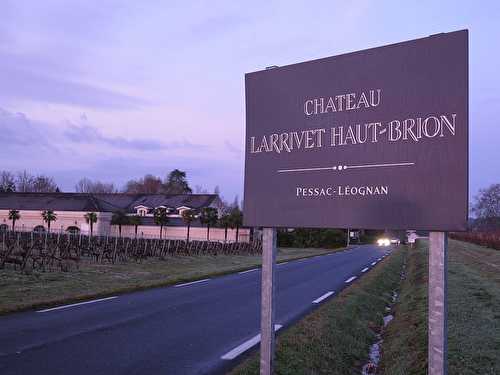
(184, 329)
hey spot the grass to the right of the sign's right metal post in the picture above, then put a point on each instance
(473, 309)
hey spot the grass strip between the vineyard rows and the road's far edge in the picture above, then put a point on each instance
(20, 291)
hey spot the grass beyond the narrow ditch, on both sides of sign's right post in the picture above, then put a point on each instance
(473, 314)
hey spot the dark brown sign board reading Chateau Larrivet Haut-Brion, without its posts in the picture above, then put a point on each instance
(371, 139)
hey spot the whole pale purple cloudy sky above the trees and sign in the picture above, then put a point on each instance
(114, 90)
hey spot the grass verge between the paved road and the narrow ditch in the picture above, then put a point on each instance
(335, 338)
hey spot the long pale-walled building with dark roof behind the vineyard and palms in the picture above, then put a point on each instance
(71, 209)
